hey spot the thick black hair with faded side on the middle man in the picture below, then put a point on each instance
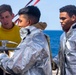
(32, 11)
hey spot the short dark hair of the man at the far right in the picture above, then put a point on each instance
(70, 9)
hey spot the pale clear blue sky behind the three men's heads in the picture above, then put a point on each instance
(49, 10)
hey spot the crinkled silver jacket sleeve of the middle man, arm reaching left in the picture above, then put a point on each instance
(30, 52)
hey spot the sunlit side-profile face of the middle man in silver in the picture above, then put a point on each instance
(23, 21)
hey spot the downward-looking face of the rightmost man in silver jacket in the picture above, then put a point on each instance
(66, 21)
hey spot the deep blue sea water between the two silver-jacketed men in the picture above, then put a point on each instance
(54, 40)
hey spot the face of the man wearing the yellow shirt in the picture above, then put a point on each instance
(6, 19)
